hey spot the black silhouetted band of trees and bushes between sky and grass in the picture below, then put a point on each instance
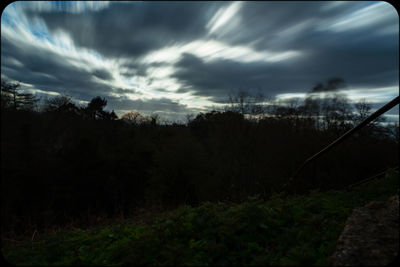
(66, 163)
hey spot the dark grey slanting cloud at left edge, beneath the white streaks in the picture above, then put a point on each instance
(49, 70)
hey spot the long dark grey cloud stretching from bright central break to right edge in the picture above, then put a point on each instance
(362, 61)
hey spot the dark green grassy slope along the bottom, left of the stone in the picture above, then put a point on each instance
(293, 230)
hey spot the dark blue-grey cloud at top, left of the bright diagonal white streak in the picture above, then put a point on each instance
(132, 29)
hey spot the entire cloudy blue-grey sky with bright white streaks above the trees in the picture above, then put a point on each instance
(178, 58)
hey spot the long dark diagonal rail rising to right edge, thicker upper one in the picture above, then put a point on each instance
(362, 124)
